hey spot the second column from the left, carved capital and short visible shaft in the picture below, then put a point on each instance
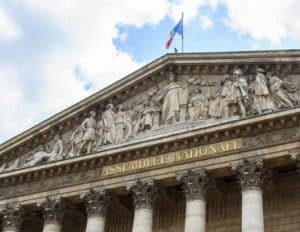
(53, 214)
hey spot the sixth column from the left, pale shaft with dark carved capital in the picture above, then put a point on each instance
(251, 176)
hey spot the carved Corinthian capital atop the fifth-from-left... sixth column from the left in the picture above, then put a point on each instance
(252, 173)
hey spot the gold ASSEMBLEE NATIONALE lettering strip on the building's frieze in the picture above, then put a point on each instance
(174, 157)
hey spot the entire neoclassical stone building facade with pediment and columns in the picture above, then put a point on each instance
(190, 142)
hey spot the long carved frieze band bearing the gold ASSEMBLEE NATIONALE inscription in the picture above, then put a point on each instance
(242, 144)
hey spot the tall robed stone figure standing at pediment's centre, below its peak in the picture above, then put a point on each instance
(170, 98)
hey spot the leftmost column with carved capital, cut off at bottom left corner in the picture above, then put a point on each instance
(12, 218)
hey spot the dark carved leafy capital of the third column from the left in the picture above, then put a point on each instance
(96, 201)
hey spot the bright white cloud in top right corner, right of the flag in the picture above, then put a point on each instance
(266, 20)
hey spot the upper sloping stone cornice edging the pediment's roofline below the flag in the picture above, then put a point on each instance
(186, 63)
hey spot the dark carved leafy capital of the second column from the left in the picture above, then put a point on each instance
(53, 209)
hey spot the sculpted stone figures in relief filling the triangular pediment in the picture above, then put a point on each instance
(177, 99)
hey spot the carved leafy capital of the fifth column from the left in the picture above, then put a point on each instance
(194, 183)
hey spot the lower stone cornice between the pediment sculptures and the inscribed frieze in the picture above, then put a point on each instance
(248, 127)
